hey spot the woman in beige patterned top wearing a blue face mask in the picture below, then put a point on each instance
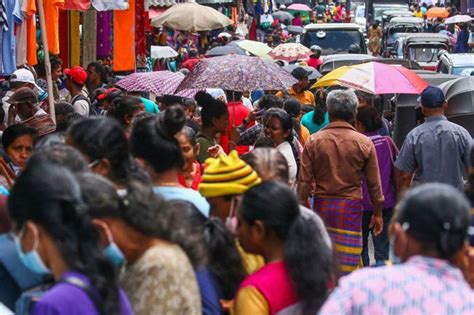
(135, 231)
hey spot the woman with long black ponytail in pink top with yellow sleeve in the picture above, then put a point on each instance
(297, 259)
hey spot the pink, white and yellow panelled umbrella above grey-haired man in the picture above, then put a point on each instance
(375, 78)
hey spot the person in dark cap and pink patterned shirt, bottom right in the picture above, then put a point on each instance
(429, 233)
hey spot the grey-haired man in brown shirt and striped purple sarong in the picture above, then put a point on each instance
(333, 163)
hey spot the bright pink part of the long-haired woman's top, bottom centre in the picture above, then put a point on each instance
(274, 283)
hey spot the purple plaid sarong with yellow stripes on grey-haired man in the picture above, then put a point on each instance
(343, 220)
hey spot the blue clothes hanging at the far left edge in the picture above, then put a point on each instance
(13, 15)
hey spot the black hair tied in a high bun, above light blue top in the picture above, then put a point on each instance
(153, 139)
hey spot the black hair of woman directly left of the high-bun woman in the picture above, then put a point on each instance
(104, 138)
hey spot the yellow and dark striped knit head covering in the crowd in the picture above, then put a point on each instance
(227, 175)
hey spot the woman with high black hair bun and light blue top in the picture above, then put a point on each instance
(154, 145)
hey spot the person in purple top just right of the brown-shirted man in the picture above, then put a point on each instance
(369, 122)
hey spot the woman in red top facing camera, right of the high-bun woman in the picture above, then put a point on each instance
(190, 176)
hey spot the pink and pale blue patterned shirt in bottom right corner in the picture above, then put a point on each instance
(422, 285)
